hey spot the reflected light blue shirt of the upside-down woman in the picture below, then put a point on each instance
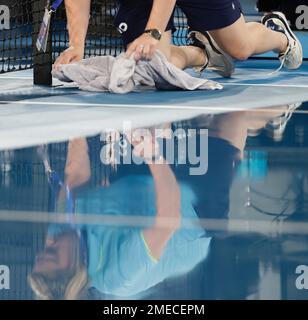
(119, 260)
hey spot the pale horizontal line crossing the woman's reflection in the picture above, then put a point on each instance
(228, 225)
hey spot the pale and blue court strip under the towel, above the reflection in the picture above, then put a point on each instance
(74, 113)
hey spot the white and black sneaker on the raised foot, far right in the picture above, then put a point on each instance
(292, 58)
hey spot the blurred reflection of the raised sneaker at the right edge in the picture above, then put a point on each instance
(276, 127)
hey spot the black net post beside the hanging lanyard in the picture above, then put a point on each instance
(42, 60)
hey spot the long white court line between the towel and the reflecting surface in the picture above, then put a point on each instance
(147, 106)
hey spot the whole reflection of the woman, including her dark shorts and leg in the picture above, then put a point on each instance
(126, 262)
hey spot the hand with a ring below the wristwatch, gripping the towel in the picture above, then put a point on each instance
(143, 47)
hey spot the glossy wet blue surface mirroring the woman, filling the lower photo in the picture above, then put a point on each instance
(222, 215)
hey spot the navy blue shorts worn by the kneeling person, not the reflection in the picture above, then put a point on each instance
(202, 15)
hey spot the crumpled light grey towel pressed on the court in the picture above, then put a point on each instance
(121, 75)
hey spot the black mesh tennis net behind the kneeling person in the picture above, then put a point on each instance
(21, 24)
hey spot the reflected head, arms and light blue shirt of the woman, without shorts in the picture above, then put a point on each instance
(121, 261)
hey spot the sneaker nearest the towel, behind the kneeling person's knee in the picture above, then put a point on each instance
(217, 59)
